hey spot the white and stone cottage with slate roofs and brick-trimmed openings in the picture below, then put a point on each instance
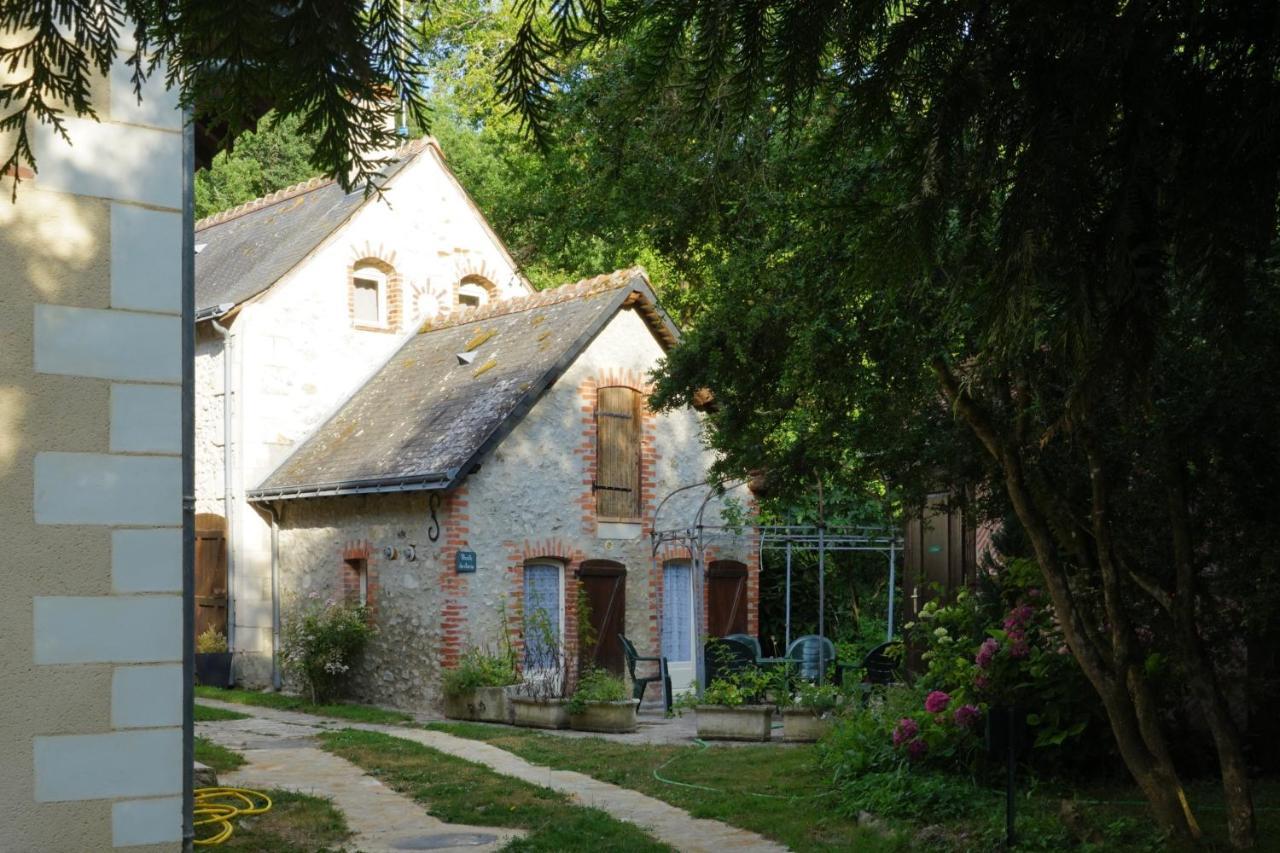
(412, 426)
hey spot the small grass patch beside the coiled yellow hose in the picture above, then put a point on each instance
(296, 824)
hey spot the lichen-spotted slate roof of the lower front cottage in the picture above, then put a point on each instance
(429, 416)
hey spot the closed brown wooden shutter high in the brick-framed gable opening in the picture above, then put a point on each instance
(618, 454)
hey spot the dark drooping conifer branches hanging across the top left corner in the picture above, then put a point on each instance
(331, 65)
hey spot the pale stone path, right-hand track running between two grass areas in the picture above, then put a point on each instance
(664, 822)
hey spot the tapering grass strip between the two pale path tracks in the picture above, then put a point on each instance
(461, 792)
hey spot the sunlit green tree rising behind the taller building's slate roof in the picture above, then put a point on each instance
(276, 157)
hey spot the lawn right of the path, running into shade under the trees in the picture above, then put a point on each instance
(931, 811)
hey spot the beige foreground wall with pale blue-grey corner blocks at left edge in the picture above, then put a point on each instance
(90, 480)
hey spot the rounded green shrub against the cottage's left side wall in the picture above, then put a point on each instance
(322, 642)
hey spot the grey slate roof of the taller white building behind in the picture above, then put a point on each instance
(248, 249)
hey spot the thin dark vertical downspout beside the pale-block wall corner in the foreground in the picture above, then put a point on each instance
(189, 477)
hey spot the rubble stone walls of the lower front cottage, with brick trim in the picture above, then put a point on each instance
(525, 503)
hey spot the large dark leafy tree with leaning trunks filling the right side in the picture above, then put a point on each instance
(1034, 244)
